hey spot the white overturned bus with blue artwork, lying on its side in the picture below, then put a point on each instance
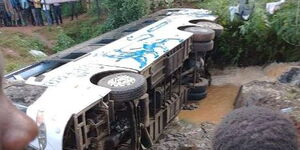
(119, 90)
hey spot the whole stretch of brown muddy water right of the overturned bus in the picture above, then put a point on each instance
(225, 86)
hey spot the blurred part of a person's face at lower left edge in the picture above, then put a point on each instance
(16, 129)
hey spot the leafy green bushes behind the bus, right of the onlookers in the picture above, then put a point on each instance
(119, 12)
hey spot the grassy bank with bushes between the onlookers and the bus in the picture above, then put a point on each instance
(15, 45)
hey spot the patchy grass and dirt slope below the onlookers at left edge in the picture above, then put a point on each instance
(16, 42)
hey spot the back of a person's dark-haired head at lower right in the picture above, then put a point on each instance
(255, 128)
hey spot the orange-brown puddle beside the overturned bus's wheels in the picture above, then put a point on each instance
(214, 107)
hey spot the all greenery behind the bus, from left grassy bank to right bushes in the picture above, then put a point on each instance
(262, 39)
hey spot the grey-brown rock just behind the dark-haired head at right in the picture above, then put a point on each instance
(274, 95)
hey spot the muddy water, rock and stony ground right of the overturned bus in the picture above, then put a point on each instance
(195, 128)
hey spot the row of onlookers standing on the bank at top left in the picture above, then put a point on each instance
(31, 12)
